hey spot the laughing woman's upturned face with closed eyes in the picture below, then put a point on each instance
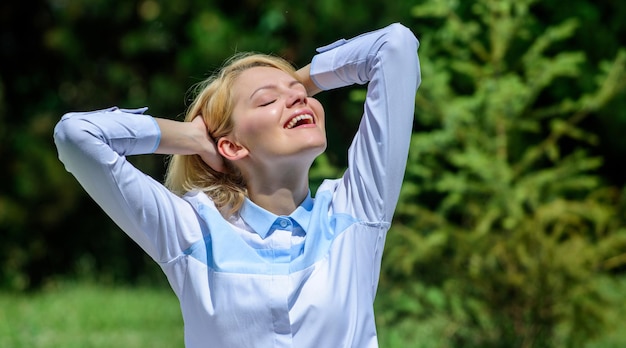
(274, 120)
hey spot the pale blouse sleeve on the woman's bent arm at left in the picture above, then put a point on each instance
(93, 147)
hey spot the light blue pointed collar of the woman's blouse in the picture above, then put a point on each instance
(262, 220)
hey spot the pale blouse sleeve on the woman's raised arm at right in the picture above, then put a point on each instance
(387, 60)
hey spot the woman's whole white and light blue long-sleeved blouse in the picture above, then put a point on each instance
(260, 280)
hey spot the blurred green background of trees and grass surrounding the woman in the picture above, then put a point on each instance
(510, 230)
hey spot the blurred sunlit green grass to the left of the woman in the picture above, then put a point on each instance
(84, 315)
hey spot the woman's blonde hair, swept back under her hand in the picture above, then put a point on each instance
(214, 100)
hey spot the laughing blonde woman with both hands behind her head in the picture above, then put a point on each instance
(254, 259)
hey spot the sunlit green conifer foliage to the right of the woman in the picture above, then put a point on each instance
(505, 235)
